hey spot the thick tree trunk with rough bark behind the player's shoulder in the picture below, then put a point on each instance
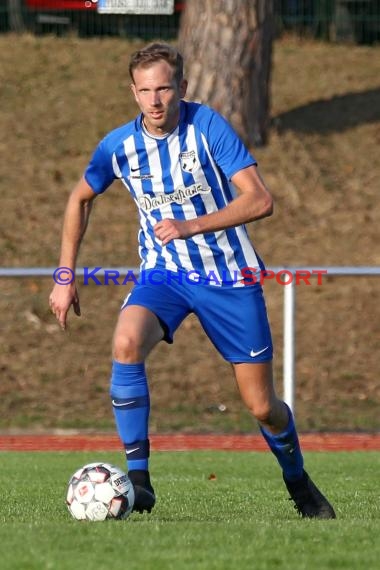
(227, 46)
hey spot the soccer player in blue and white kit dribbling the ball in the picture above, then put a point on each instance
(181, 161)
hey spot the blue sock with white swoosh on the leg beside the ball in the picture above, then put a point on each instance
(131, 405)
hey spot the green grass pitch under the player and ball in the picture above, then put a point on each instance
(215, 510)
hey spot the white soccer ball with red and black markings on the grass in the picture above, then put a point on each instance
(100, 491)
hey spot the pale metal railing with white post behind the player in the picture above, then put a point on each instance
(289, 304)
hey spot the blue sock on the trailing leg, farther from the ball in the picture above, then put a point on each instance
(286, 448)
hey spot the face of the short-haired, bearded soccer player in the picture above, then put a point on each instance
(158, 95)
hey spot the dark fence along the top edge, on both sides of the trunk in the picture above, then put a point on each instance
(334, 20)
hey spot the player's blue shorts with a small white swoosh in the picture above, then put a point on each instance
(234, 318)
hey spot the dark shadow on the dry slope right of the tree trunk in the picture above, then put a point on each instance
(337, 114)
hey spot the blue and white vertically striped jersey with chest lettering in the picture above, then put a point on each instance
(182, 175)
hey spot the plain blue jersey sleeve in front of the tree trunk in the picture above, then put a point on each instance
(226, 147)
